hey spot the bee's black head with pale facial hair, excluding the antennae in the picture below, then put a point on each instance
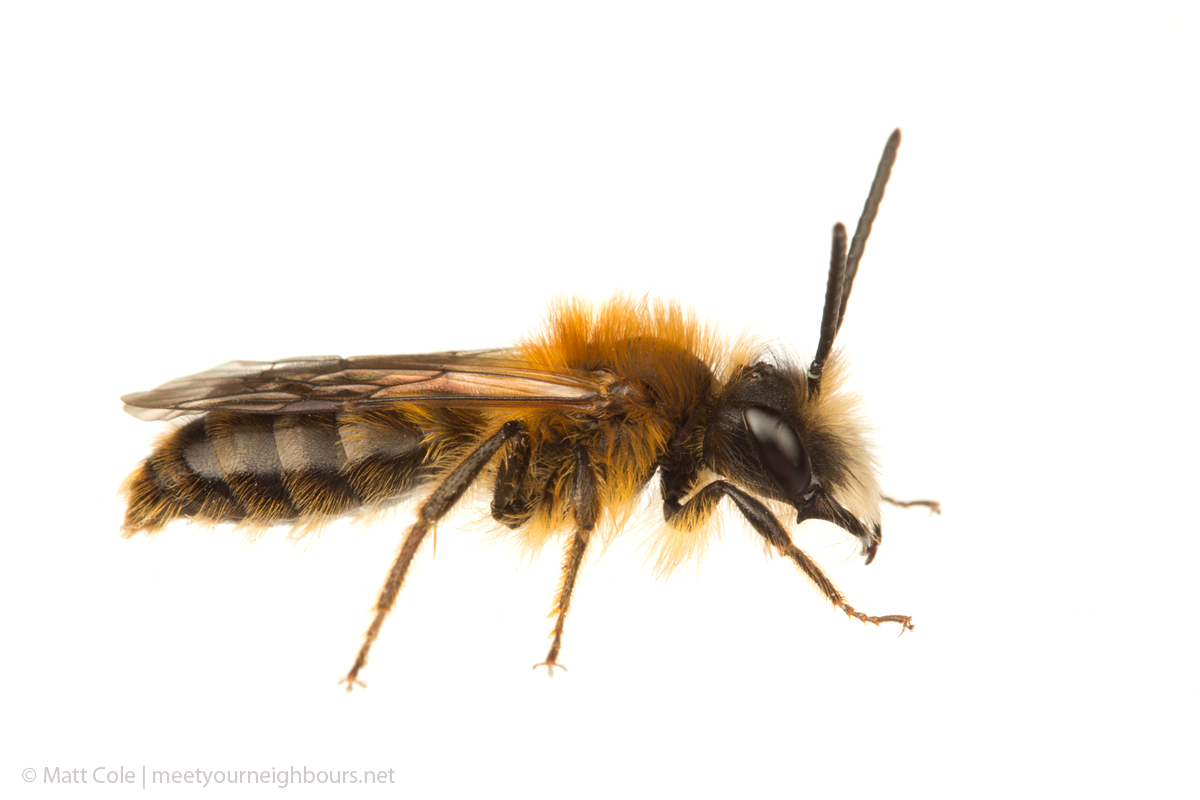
(777, 436)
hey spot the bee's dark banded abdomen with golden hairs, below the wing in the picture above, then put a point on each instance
(266, 470)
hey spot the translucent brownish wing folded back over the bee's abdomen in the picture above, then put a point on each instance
(323, 384)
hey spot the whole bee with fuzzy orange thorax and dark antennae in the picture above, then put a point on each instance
(565, 431)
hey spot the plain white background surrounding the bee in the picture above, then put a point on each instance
(190, 184)
